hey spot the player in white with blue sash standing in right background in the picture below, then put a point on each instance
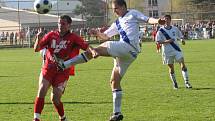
(167, 36)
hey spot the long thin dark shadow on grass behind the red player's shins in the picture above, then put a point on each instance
(49, 103)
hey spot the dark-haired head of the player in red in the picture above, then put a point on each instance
(64, 23)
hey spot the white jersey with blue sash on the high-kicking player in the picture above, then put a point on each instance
(130, 25)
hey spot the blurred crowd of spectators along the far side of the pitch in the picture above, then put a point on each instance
(199, 30)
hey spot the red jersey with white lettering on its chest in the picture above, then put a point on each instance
(65, 47)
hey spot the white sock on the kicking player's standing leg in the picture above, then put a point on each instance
(117, 98)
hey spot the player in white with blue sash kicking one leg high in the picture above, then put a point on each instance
(124, 51)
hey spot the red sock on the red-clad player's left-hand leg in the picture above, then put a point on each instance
(38, 105)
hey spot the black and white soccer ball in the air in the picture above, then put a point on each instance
(42, 6)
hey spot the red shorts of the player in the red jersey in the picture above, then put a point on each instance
(56, 78)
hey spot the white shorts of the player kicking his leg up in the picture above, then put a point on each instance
(123, 54)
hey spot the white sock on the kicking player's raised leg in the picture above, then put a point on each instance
(81, 58)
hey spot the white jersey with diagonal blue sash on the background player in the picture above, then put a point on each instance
(174, 33)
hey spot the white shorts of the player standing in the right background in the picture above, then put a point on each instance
(175, 57)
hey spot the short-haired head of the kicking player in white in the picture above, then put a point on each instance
(119, 7)
